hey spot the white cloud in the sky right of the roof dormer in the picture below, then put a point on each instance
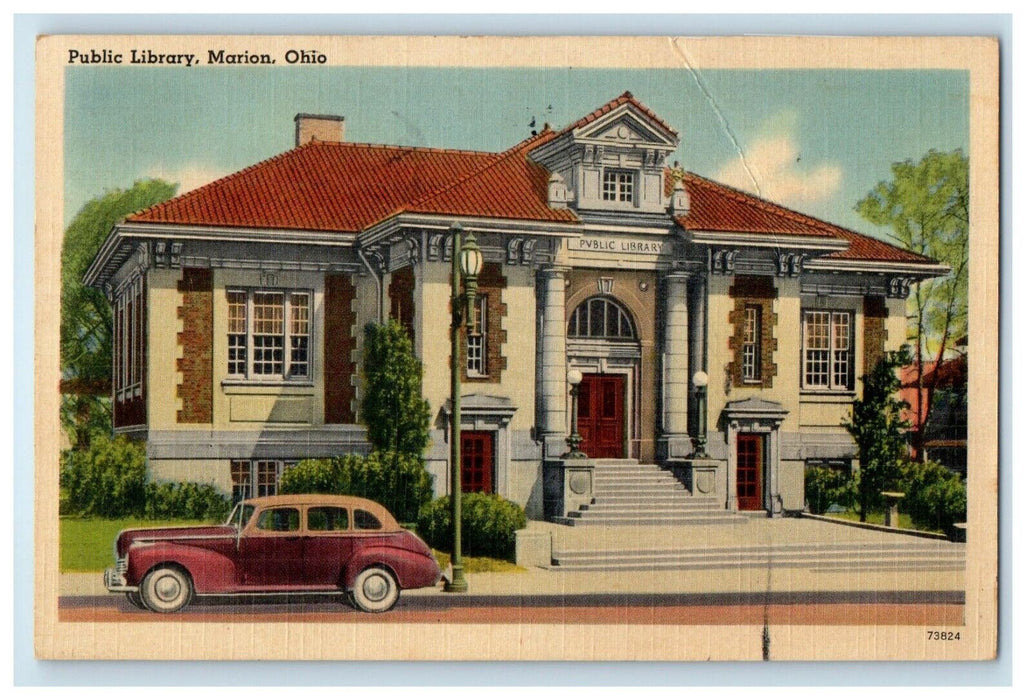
(775, 173)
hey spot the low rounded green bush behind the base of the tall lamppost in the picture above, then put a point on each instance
(490, 525)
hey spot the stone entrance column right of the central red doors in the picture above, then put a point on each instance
(675, 441)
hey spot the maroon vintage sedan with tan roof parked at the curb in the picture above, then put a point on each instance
(302, 544)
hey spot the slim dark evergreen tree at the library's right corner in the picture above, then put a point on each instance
(879, 430)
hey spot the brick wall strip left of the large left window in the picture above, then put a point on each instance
(196, 340)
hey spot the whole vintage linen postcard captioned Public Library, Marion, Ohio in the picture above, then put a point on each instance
(681, 333)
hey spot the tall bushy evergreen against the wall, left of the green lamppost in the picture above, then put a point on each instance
(396, 415)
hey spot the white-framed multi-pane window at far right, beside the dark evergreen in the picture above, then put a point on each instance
(828, 351)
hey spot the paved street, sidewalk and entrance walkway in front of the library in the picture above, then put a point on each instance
(864, 593)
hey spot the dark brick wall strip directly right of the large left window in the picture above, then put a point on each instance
(338, 345)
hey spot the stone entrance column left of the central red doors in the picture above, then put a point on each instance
(552, 375)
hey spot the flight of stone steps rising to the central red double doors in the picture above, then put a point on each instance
(630, 494)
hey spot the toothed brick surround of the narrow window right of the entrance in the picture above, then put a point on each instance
(761, 293)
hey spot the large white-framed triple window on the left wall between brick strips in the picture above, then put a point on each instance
(268, 334)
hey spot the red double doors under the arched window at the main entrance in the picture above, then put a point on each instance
(601, 416)
